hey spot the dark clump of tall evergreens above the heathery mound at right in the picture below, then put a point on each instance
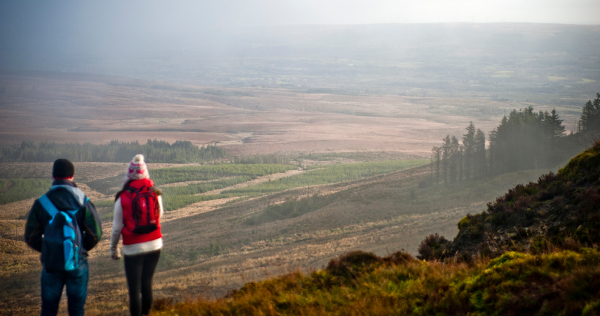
(525, 139)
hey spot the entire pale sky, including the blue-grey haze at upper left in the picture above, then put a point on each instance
(35, 29)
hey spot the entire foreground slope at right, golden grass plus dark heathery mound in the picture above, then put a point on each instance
(543, 282)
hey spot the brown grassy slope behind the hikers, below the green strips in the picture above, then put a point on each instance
(208, 252)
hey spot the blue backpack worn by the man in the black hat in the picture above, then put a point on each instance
(62, 243)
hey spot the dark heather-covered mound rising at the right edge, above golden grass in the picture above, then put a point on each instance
(560, 211)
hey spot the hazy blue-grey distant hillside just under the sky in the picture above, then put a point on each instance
(524, 61)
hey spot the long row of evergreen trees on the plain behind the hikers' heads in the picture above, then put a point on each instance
(115, 151)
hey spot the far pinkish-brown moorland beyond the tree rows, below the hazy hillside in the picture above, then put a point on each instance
(72, 108)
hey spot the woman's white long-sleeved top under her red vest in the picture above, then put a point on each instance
(132, 249)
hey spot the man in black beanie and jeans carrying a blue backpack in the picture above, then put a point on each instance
(64, 203)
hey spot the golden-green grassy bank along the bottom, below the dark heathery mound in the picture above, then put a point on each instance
(561, 283)
